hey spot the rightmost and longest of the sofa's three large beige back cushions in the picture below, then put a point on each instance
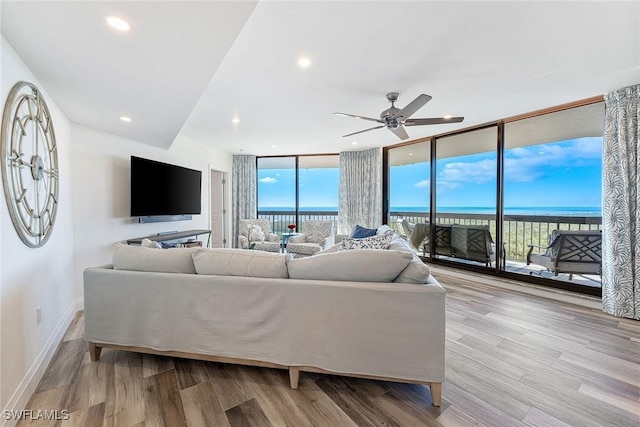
(357, 266)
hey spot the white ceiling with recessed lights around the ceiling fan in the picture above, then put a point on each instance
(190, 67)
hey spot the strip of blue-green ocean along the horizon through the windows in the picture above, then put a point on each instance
(520, 210)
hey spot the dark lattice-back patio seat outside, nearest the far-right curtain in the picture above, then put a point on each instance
(571, 252)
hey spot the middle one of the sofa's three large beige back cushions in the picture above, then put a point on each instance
(241, 262)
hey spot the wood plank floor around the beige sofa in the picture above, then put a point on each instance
(512, 360)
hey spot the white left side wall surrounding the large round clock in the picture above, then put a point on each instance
(34, 277)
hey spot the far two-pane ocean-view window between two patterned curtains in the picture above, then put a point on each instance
(293, 189)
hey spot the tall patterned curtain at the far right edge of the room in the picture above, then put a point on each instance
(620, 225)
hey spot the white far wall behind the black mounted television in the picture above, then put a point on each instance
(101, 191)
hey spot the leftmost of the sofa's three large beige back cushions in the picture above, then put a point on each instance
(137, 258)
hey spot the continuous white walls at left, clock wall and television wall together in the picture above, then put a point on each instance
(93, 215)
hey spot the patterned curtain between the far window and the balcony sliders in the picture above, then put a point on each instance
(360, 197)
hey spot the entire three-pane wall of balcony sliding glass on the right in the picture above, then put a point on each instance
(501, 193)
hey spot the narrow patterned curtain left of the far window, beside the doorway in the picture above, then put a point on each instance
(244, 192)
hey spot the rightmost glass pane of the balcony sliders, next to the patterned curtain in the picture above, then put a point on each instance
(552, 181)
